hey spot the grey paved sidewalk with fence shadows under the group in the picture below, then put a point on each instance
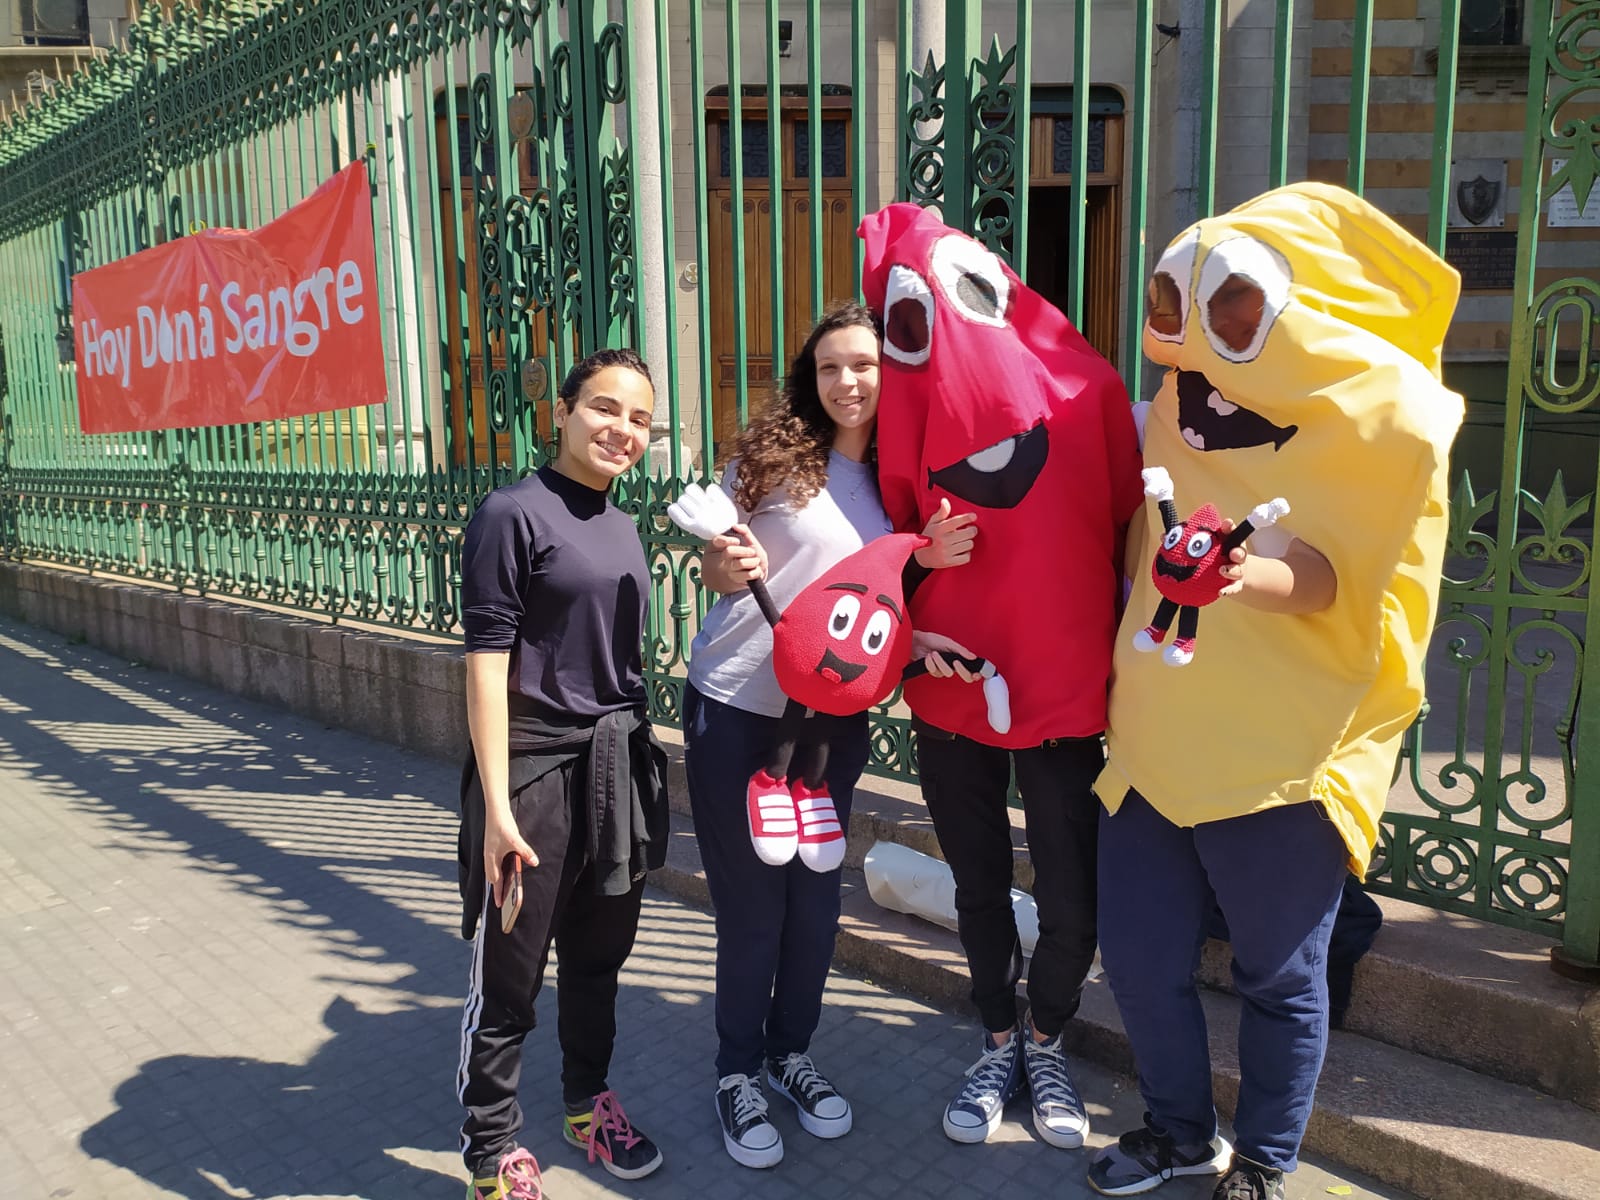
(230, 967)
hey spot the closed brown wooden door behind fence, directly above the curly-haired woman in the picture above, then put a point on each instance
(838, 239)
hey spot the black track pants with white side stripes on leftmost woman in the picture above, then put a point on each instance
(593, 937)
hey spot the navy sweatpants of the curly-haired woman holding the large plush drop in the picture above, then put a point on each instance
(775, 926)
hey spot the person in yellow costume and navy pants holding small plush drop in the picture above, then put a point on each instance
(1303, 337)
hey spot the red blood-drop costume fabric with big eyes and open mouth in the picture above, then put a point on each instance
(991, 399)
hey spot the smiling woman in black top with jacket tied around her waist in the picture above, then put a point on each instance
(564, 796)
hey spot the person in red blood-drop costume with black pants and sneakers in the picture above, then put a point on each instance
(991, 401)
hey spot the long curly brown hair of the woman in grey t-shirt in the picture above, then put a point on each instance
(791, 439)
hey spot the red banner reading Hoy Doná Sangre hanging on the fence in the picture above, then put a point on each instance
(226, 327)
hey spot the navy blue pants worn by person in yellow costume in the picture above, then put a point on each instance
(1278, 878)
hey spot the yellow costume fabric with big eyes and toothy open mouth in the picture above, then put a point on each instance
(1305, 334)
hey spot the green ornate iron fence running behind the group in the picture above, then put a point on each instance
(687, 177)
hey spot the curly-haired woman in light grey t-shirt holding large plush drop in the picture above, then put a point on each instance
(806, 484)
